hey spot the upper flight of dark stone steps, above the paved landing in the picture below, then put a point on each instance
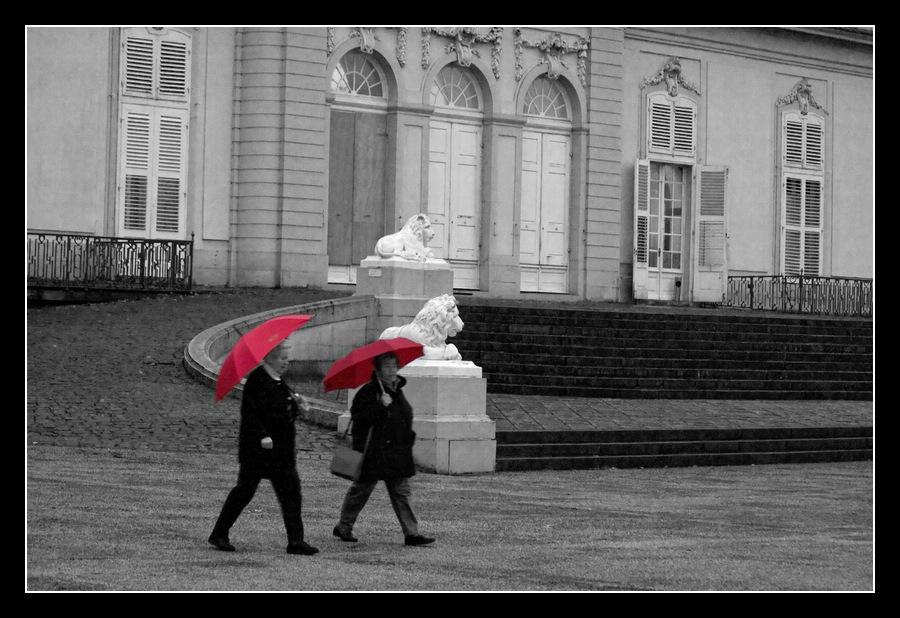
(666, 353)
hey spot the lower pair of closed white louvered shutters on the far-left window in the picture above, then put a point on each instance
(152, 172)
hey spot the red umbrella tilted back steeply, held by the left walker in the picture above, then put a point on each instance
(252, 348)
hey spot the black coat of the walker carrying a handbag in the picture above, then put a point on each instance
(389, 455)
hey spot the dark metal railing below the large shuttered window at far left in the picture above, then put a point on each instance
(109, 263)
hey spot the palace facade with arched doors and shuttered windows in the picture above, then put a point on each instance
(595, 163)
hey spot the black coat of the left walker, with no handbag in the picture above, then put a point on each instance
(267, 410)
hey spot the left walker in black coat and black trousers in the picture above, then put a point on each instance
(266, 450)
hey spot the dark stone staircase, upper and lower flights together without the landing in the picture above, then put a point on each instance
(669, 353)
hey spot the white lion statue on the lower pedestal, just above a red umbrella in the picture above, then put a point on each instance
(437, 320)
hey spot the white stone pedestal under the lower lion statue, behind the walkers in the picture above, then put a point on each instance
(454, 434)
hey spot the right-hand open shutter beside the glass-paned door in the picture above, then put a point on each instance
(710, 256)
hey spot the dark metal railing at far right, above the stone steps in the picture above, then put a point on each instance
(801, 294)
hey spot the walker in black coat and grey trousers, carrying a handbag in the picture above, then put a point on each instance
(380, 407)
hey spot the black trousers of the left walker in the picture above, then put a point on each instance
(286, 484)
